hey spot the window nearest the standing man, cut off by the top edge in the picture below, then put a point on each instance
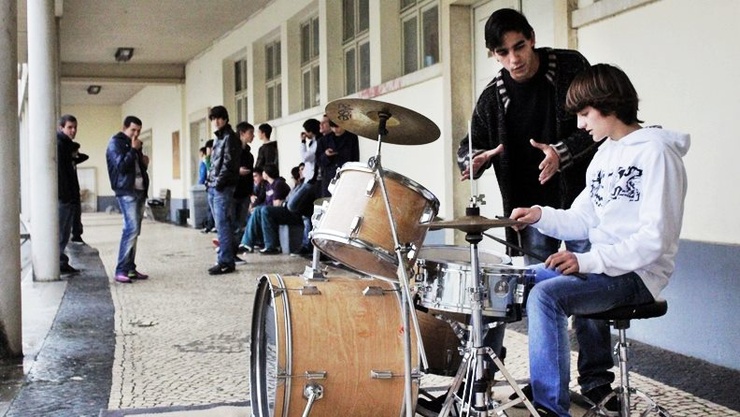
(420, 30)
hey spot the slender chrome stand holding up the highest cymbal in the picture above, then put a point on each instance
(401, 251)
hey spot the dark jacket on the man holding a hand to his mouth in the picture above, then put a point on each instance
(122, 159)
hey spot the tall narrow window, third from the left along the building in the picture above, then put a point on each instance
(310, 62)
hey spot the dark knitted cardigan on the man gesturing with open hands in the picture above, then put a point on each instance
(574, 146)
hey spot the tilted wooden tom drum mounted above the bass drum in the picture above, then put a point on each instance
(355, 229)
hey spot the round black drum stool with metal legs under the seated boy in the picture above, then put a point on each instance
(620, 318)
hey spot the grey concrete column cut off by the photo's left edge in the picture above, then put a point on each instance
(10, 258)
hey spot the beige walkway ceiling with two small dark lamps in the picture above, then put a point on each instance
(165, 35)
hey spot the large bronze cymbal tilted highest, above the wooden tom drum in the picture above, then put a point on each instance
(362, 117)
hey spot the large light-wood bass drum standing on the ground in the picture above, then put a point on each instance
(343, 336)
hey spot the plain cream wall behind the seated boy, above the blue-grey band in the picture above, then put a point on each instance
(683, 58)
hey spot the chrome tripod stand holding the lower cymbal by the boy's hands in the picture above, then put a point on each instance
(476, 399)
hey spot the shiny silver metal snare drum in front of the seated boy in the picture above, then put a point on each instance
(444, 281)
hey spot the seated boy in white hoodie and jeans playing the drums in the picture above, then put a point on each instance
(631, 211)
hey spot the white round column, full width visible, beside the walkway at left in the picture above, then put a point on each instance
(42, 140)
